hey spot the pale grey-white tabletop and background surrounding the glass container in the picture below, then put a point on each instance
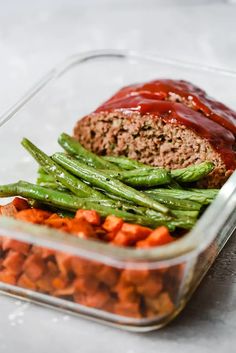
(35, 36)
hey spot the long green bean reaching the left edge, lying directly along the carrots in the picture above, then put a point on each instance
(63, 201)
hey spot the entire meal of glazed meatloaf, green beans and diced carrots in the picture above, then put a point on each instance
(138, 173)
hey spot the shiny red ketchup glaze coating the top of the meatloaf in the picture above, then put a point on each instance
(209, 119)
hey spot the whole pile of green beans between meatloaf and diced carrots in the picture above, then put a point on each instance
(126, 188)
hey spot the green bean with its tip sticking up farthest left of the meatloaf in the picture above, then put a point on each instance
(61, 175)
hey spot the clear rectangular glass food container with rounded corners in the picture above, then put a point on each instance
(136, 289)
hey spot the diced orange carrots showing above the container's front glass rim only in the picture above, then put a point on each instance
(88, 224)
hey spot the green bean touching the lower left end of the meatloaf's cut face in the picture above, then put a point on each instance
(74, 148)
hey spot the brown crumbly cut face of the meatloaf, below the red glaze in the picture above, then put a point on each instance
(149, 140)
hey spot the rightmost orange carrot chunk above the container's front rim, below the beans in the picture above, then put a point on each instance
(160, 236)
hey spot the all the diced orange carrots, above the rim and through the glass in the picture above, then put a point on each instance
(128, 292)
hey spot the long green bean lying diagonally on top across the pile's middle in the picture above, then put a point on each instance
(110, 185)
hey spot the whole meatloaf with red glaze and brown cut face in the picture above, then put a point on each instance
(166, 123)
